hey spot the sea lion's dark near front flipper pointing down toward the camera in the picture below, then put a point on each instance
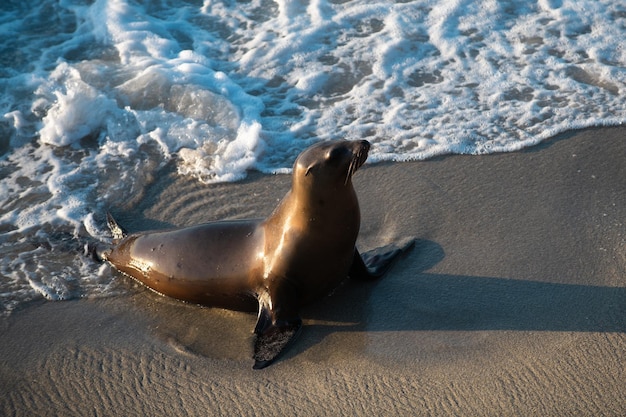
(273, 334)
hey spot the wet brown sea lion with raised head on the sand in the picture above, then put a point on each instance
(303, 250)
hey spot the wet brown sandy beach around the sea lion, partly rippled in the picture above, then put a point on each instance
(512, 302)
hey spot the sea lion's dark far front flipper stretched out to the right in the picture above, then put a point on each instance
(374, 264)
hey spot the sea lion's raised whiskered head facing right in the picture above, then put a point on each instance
(330, 163)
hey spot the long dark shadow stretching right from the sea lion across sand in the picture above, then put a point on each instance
(412, 299)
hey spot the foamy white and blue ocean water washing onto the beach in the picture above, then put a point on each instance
(97, 96)
